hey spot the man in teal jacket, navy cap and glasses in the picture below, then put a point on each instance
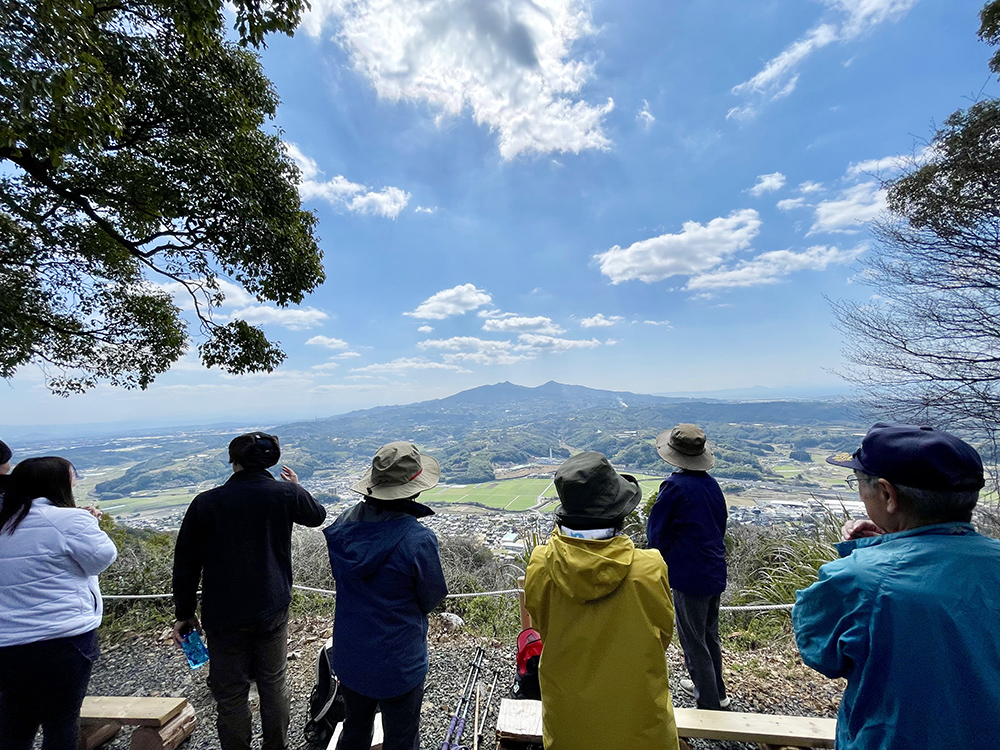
(910, 614)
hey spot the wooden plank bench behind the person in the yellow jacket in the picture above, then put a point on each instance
(520, 721)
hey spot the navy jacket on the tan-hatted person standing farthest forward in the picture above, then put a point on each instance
(688, 525)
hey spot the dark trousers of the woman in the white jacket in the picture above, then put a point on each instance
(42, 684)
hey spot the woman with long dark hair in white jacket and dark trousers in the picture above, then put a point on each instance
(50, 604)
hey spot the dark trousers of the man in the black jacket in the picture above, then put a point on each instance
(236, 657)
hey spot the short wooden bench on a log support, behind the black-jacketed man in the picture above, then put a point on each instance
(160, 723)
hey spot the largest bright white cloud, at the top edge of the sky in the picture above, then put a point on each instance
(508, 61)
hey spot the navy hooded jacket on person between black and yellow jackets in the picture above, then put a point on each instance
(389, 578)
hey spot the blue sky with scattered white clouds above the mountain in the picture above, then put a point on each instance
(645, 196)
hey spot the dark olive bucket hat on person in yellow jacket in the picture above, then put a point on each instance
(592, 495)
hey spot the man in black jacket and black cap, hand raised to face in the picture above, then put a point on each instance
(236, 539)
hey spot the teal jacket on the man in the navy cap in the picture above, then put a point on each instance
(912, 620)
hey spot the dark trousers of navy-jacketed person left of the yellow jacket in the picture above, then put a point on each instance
(400, 720)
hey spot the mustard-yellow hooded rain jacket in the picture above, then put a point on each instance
(606, 618)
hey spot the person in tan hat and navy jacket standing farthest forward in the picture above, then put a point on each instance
(687, 524)
